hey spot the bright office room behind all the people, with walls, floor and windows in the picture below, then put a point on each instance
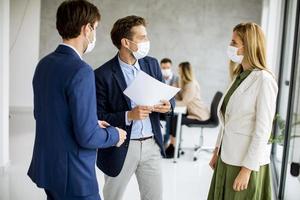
(197, 31)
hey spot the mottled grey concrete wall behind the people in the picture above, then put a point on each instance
(198, 31)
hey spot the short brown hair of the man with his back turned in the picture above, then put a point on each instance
(72, 15)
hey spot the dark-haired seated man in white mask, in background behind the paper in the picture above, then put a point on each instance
(172, 80)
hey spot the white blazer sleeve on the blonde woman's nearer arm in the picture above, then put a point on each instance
(265, 111)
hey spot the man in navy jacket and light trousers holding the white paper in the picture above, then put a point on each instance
(141, 154)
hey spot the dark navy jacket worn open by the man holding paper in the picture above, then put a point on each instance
(112, 105)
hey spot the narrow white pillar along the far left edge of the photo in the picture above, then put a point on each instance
(4, 82)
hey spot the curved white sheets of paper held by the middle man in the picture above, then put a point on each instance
(147, 91)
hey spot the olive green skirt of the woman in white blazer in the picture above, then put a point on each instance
(259, 186)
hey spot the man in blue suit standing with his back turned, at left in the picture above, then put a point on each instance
(68, 132)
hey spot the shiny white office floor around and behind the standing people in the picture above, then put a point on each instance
(185, 180)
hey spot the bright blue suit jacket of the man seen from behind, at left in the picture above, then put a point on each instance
(67, 131)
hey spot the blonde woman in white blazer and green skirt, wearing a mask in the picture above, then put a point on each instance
(242, 154)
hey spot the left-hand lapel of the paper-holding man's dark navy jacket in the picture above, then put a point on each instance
(119, 76)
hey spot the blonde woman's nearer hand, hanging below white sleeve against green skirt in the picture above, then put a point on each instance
(242, 180)
